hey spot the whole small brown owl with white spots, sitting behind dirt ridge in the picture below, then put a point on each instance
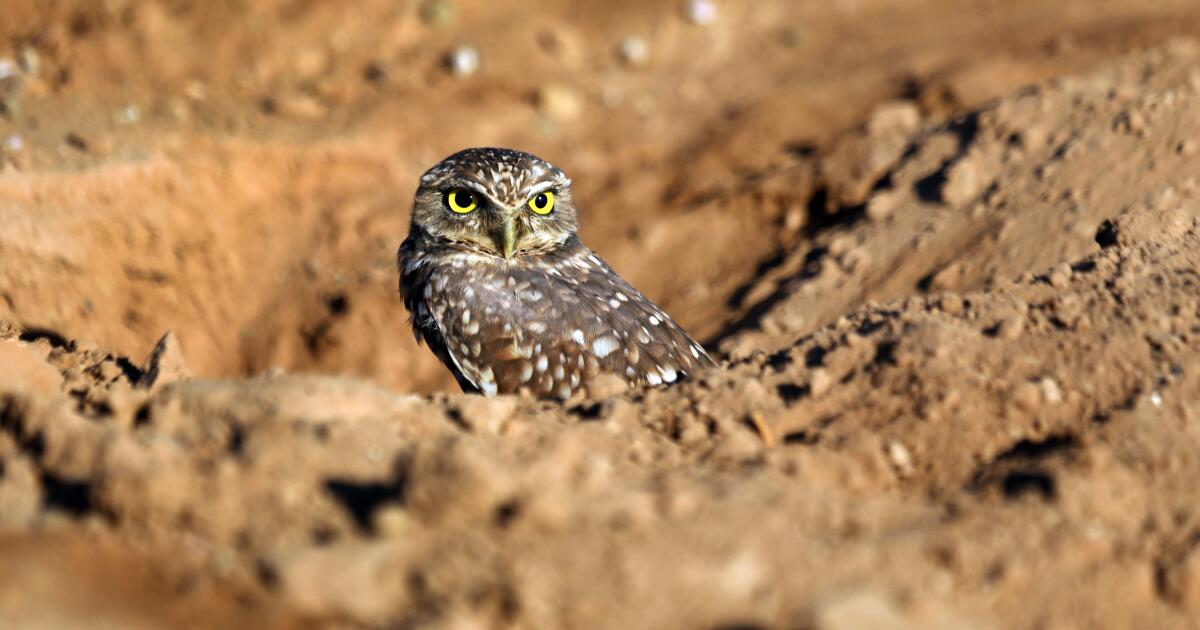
(501, 289)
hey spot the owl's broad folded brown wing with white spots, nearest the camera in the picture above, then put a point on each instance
(551, 331)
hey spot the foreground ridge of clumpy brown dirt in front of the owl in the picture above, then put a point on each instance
(933, 463)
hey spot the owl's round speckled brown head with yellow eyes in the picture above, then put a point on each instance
(496, 202)
